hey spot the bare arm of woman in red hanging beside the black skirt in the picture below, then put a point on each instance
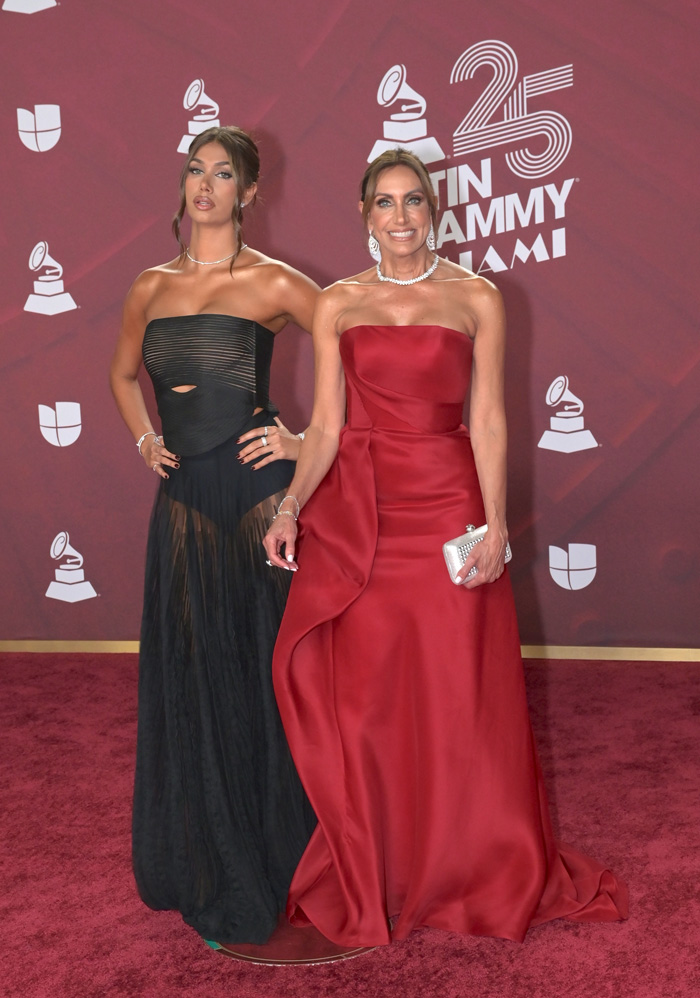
(320, 443)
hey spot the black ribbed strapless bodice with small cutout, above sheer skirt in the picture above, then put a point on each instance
(227, 359)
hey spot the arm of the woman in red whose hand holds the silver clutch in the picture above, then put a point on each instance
(487, 430)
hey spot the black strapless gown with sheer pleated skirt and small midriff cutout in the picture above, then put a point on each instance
(220, 818)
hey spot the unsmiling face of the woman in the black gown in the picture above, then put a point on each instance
(211, 192)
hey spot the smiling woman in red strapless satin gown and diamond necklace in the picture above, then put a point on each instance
(402, 694)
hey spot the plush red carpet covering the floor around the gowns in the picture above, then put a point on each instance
(620, 743)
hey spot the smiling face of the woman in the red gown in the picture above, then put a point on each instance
(399, 216)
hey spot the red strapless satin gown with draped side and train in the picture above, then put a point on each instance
(402, 695)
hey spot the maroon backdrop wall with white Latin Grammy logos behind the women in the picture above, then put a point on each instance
(560, 140)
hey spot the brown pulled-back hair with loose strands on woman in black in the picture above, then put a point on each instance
(244, 159)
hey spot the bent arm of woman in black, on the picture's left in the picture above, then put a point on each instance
(123, 375)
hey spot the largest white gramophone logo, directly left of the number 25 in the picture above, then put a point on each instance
(406, 127)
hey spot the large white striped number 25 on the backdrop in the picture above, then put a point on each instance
(478, 132)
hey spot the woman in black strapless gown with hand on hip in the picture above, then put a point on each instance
(220, 817)
